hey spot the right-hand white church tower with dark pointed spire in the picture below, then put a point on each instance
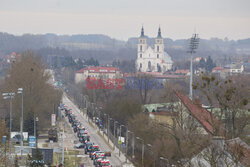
(159, 45)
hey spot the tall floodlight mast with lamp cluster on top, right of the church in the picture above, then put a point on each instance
(194, 42)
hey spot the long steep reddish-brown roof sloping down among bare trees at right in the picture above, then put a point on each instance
(208, 121)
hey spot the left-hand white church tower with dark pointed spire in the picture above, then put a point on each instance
(141, 49)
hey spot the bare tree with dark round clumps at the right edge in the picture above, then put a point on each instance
(228, 99)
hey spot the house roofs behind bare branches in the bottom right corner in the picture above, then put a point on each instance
(221, 152)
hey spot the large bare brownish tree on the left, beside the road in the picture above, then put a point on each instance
(39, 96)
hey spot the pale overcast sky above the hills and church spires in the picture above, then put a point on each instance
(122, 19)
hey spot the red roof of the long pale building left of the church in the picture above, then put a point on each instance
(92, 69)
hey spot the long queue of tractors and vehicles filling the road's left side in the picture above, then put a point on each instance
(98, 157)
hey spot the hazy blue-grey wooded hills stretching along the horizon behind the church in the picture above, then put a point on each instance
(107, 49)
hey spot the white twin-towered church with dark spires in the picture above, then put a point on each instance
(152, 59)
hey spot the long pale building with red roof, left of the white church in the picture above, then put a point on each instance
(98, 72)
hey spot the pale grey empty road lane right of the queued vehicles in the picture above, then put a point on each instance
(93, 132)
